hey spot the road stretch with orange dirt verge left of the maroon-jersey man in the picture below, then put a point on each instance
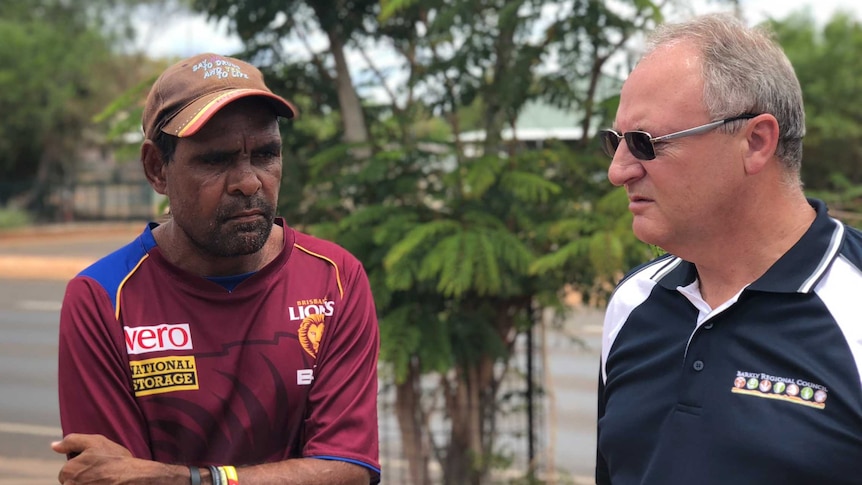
(34, 268)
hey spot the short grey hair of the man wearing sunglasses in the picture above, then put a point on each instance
(744, 71)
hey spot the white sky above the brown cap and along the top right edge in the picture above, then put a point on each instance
(180, 35)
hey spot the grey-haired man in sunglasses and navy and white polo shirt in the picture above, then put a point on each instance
(735, 358)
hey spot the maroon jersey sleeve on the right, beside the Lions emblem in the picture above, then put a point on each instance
(342, 418)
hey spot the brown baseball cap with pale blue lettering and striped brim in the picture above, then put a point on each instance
(190, 92)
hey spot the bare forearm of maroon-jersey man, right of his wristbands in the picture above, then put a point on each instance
(299, 471)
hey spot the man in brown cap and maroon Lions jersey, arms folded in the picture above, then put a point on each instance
(221, 346)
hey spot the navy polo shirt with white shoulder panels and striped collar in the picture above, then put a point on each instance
(766, 389)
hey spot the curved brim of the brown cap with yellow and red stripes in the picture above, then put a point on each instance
(193, 117)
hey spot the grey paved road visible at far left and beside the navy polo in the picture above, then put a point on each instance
(33, 272)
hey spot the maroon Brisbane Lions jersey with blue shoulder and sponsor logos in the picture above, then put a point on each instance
(180, 370)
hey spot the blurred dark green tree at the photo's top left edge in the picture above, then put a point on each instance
(50, 51)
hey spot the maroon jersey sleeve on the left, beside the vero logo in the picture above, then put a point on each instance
(94, 380)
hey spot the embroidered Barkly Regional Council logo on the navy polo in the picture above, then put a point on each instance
(797, 391)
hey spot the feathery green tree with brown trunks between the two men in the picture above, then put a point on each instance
(464, 241)
